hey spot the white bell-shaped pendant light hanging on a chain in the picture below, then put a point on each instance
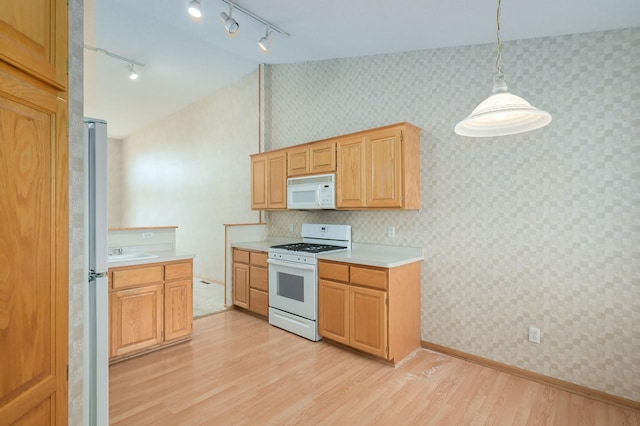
(502, 113)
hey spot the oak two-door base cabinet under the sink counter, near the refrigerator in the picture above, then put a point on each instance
(150, 306)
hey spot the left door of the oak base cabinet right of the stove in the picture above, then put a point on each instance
(333, 311)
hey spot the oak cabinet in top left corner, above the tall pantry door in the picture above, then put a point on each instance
(33, 38)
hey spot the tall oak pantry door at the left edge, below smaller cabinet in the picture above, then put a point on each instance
(34, 244)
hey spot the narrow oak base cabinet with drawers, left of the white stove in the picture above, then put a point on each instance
(251, 281)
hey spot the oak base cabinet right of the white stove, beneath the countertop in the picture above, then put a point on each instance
(371, 309)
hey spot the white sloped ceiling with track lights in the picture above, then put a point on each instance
(187, 60)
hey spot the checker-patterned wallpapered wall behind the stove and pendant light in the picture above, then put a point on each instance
(534, 229)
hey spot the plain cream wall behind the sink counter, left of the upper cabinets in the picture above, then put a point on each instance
(192, 169)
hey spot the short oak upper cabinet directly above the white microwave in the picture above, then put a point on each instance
(313, 158)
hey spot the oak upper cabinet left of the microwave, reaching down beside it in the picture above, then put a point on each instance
(269, 181)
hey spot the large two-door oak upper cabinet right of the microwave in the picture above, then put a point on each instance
(379, 169)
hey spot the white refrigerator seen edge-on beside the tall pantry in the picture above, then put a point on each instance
(96, 299)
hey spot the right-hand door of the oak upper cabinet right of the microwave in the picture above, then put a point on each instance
(384, 169)
